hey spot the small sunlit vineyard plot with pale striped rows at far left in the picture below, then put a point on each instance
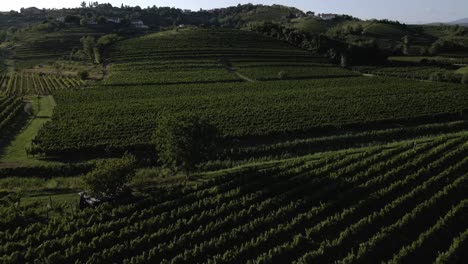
(35, 84)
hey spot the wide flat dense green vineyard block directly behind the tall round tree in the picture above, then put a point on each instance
(89, 120)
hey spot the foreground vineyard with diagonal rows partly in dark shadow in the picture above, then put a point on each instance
(404, 202)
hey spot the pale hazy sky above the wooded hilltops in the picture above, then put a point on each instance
(409, 11)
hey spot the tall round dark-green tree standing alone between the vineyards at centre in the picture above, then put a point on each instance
(184, 141)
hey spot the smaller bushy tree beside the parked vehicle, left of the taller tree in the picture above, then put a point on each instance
(110, 177)
